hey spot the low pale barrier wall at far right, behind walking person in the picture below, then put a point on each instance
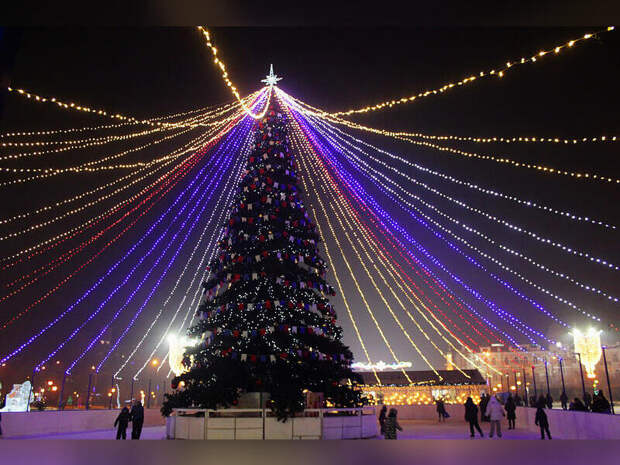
(566, 424)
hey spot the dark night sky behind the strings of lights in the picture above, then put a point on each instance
(145, 72)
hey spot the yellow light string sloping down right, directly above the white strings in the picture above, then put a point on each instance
(494, 158)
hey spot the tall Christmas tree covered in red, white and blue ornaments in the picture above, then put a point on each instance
(265, 323)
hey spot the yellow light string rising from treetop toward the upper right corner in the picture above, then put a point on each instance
(497, 72)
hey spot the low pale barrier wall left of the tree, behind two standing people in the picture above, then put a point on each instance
(66, 421)
